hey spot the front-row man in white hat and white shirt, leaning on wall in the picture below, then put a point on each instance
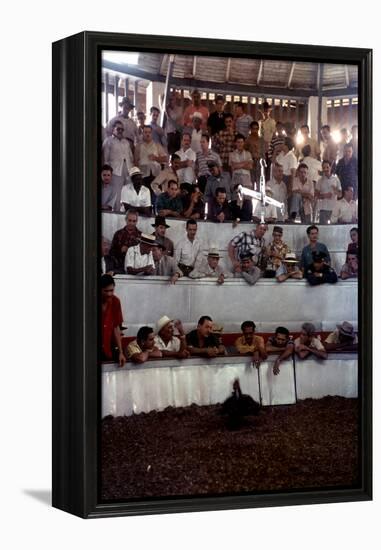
(165, 340)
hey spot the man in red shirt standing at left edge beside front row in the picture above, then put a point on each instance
(112, 319)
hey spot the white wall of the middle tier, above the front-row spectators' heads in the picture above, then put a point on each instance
(268, 303)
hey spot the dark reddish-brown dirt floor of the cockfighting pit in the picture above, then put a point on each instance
(191, 451)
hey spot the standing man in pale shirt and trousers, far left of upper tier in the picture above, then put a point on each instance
(116, 152)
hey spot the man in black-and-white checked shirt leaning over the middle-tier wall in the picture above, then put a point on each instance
(252, 242)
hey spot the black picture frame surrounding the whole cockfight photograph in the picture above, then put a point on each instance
(76, 232)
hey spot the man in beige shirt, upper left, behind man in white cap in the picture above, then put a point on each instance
(149, 156)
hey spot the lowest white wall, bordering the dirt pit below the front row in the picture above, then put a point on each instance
(159, 384)
